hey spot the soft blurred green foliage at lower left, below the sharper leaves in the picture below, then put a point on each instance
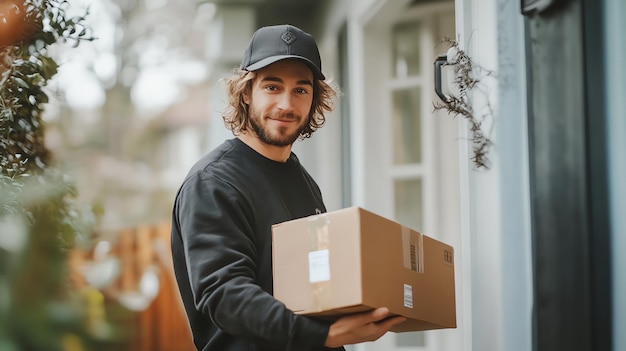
(39, 310)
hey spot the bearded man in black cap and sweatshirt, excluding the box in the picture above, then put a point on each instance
(224, 210)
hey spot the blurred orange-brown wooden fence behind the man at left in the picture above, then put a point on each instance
(148, 322)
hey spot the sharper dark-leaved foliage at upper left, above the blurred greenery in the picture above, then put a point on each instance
(27, 70)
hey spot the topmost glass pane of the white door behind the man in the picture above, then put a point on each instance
(406, 53)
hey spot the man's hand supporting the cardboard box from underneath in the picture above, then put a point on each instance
(361, 327)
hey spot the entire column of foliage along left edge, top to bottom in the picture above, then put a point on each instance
(39, 218)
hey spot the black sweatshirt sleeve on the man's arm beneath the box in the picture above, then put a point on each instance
(219, 247)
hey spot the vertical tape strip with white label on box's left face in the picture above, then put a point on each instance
(319, 260)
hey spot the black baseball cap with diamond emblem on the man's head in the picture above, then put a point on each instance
(274, 43)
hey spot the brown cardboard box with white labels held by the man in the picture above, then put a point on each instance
(353, 260)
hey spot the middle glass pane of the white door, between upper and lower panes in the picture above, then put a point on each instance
(406, 118)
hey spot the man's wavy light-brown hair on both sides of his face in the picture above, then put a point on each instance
(236, 113)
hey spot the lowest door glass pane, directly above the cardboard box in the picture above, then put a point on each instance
(408, 203)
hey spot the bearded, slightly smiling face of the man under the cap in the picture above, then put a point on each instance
(282, 95)
